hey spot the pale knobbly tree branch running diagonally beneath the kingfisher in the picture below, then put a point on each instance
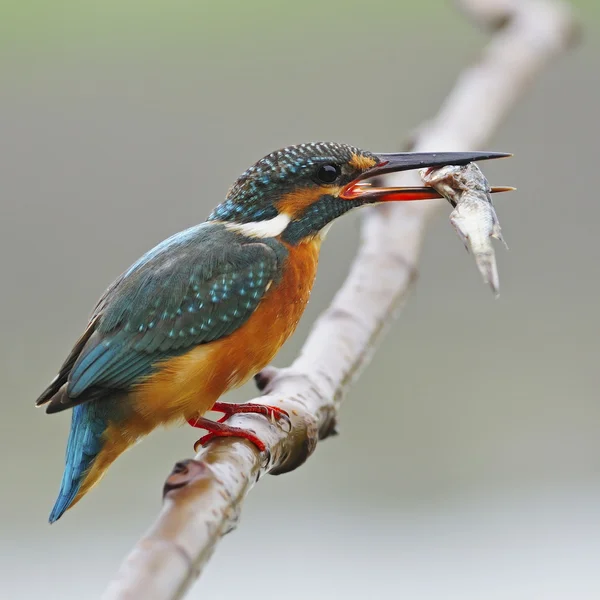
(203, 496)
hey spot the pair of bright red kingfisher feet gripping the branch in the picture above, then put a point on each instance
(219, 429)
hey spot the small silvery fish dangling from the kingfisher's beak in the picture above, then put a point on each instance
(473, 217)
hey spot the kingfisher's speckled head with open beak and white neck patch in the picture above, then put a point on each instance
(297, 191)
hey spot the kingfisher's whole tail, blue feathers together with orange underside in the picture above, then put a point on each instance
(90, 451)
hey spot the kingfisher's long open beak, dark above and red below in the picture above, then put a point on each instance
(361, 189)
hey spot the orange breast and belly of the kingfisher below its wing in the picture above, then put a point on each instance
(188, 385)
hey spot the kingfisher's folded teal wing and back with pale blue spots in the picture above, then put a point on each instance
(196, 287)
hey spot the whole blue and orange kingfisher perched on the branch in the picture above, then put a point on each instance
(209, 307)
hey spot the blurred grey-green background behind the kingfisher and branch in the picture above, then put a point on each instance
(468, 464)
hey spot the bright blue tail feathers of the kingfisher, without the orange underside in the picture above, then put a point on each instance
(85, 442)
